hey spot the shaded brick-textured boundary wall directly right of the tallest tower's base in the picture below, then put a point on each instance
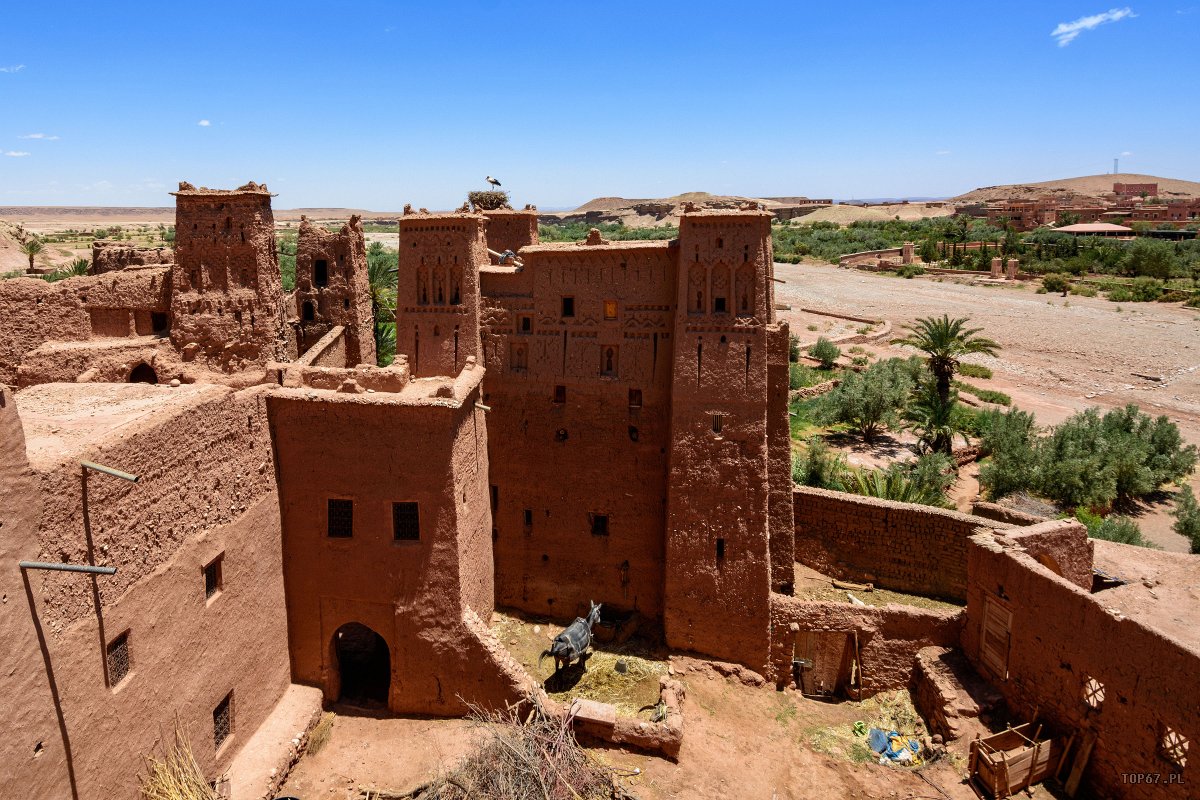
(893, 545)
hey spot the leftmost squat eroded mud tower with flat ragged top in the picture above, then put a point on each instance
(227, 300)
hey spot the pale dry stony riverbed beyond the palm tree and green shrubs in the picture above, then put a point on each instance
(1058, 356)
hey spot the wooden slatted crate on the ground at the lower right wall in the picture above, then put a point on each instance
(1007, 762)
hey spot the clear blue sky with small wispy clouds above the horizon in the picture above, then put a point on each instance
(375, 105)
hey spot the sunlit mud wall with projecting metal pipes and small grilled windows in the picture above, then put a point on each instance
(77, 733)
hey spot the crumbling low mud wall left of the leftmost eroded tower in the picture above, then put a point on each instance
(130, 303)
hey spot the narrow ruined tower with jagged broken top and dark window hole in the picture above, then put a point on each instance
(333, 288)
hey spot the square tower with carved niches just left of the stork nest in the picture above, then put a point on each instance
(437, 291)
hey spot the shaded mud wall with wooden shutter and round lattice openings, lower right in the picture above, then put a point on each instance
(1060, 637)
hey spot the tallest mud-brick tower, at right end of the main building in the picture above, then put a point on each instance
(719, 488)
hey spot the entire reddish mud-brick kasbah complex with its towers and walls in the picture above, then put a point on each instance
(583, 422)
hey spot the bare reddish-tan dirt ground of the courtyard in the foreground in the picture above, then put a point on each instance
(740, 742)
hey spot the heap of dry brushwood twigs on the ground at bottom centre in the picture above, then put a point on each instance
(532, 760)
